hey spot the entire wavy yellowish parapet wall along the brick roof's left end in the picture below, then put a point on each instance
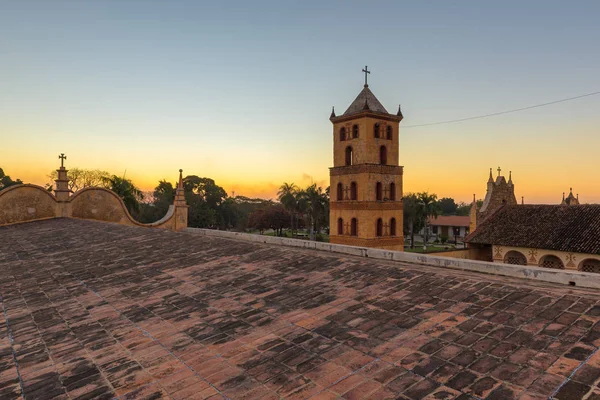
(24, 203)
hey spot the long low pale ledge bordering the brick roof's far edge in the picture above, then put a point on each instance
(565, 277)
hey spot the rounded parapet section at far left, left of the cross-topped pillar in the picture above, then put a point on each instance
(22, 203)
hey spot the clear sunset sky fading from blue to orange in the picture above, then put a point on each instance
(241, 92)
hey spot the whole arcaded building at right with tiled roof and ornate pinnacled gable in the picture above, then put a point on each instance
(565, 236)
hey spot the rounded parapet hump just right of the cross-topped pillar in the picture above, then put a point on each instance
(102, 205)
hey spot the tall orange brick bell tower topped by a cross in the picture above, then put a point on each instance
(366, 180)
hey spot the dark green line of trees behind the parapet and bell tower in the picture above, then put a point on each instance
(296, 211)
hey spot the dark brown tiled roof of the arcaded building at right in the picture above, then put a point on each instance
(573, 228)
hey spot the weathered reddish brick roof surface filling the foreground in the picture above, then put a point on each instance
(96, 310)
